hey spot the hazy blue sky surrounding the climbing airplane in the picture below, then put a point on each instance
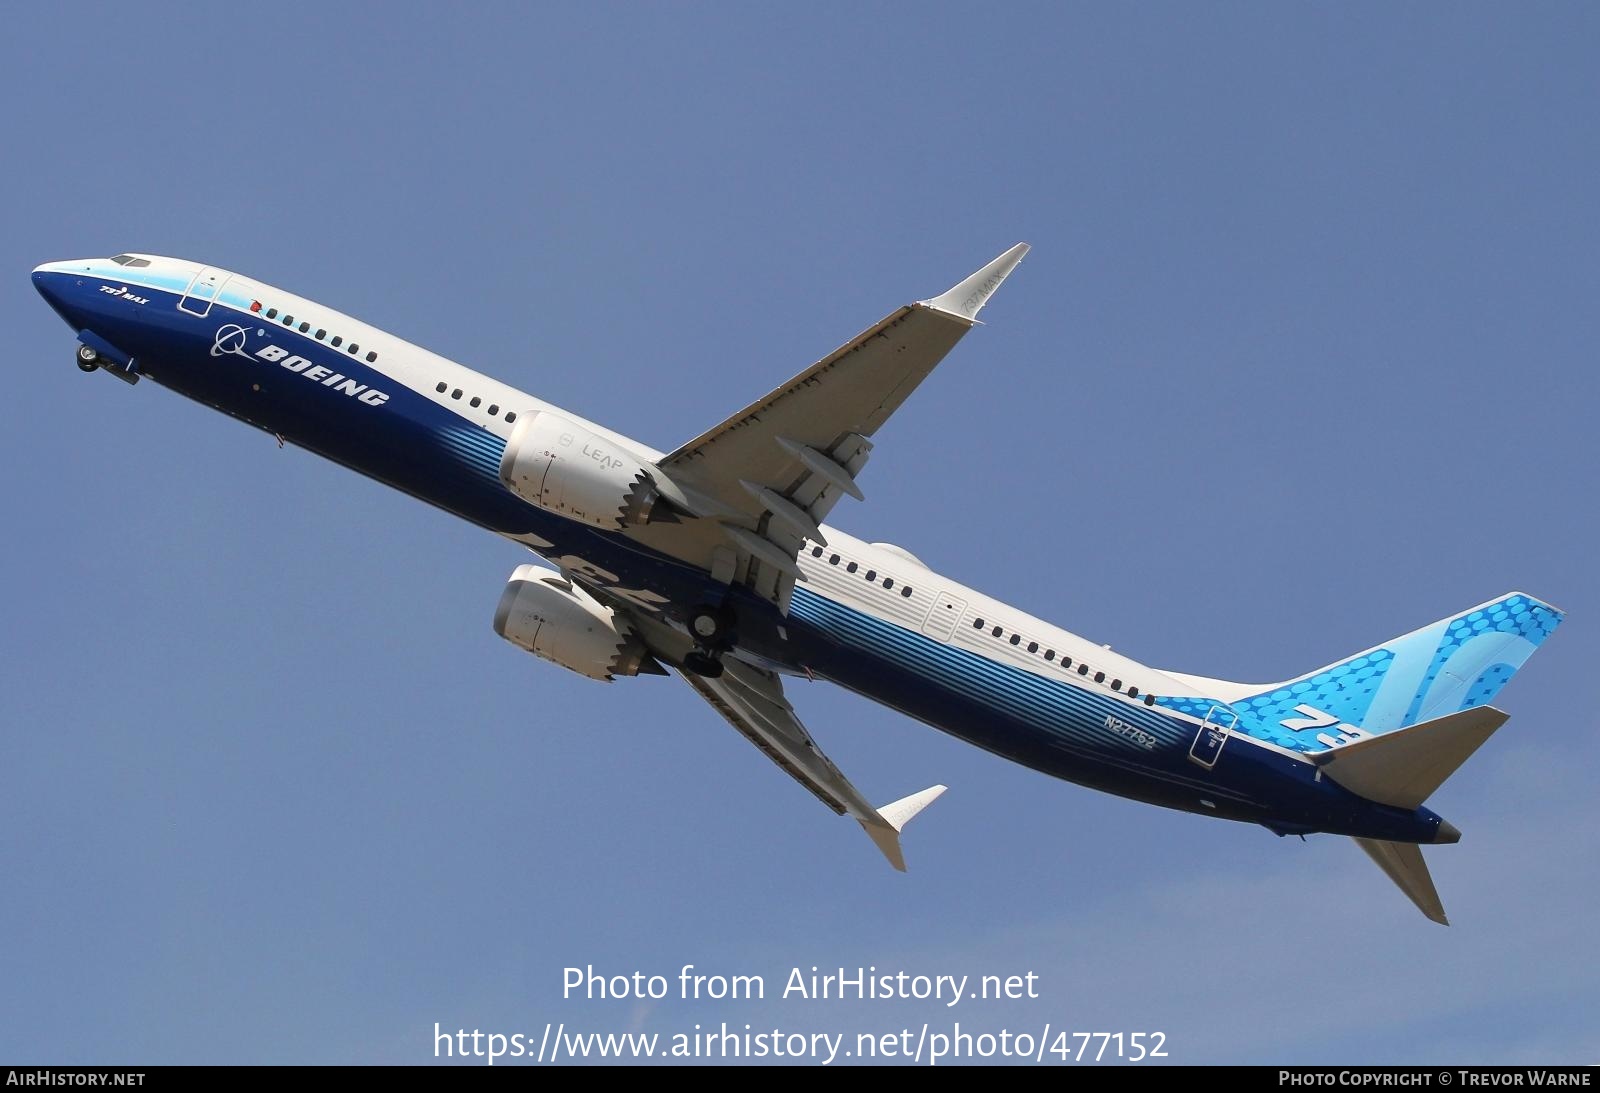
(1303, 359)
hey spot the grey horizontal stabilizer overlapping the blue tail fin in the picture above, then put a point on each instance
(1406, 767)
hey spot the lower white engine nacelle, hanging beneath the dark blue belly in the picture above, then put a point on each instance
(551, 617)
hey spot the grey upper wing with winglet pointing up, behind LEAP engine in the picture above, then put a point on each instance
(761, 484)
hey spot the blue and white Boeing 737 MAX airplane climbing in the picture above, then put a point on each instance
(713, 561)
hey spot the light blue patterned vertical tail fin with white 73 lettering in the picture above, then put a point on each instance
(1455, 665)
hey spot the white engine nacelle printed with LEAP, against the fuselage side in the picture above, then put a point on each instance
(567, 470)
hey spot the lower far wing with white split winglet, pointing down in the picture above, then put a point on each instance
(753, 702)
